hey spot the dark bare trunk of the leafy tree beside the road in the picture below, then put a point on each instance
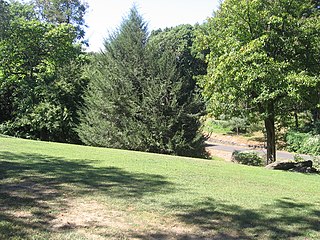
(271, 135)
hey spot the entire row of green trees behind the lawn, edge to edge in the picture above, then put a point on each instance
(148, 91)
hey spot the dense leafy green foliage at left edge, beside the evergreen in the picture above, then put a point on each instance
(41, 82)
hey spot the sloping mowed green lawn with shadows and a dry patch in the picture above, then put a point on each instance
(60, 191)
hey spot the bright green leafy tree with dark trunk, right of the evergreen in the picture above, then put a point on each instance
(263, 55)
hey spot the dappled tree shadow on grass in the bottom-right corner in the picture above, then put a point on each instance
(285, 218)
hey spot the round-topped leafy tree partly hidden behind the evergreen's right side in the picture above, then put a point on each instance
(179, 41)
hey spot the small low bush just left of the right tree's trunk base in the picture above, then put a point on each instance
(248, 158)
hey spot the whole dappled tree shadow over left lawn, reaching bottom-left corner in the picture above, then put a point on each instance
(32, 186)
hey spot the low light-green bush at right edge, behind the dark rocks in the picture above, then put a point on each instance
(305, 143)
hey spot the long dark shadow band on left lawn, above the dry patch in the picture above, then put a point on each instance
(53, 171)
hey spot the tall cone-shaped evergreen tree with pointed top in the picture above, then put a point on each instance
(134, 100)
